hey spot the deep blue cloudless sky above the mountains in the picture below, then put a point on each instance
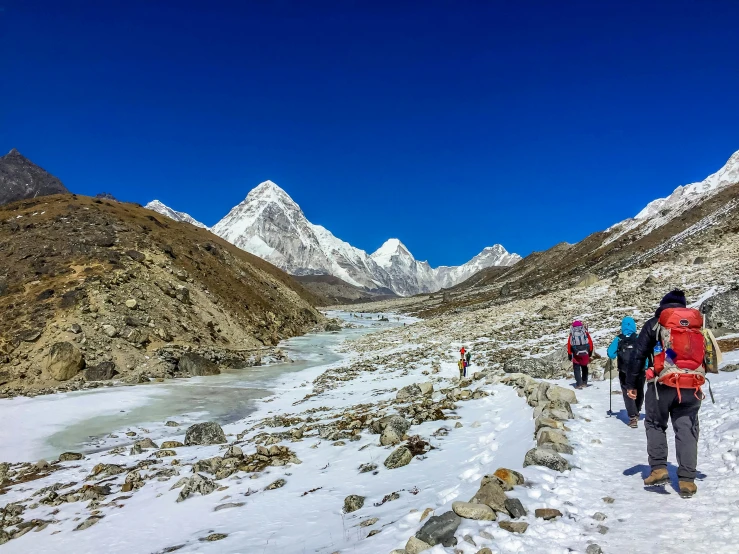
(450, 125)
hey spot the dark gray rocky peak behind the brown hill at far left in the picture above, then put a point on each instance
(20, 179)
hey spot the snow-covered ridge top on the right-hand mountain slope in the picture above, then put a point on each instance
(662, 210)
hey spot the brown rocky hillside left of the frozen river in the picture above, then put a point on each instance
(112, 288)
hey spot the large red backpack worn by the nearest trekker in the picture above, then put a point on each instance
(680, 363)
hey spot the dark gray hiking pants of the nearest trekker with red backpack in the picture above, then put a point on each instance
(684, 415)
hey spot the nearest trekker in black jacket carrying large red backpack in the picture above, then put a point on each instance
(674, 344)
